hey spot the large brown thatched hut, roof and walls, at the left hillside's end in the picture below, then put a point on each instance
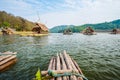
(40, 28)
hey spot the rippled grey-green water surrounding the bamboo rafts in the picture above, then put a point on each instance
(97, 55)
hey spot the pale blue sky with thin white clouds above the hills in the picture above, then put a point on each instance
(63, 12)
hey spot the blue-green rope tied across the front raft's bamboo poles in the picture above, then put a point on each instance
(51, 73)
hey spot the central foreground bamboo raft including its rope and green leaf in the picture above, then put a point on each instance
(61, 67)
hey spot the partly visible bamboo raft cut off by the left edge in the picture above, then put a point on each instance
(6, 60)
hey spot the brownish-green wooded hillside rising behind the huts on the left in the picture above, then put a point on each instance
(16, 22)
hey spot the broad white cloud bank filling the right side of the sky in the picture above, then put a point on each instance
(92, 12)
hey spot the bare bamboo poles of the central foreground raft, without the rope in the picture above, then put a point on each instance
(62, 64)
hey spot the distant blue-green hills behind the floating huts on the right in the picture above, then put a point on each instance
(98, 27)
